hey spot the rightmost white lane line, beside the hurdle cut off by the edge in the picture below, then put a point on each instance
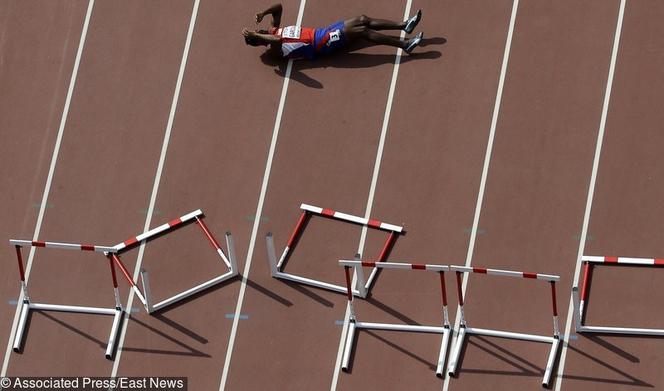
(591, 189)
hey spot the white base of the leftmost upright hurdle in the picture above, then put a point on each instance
(28, 306)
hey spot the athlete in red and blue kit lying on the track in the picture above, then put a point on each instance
(301, 42)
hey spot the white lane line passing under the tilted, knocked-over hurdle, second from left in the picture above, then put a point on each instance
(155, 185)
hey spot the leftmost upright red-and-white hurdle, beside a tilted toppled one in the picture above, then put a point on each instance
(27, 305)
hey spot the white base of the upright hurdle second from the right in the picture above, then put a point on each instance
(464, 330)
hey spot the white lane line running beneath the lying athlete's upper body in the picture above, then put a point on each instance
(258, 214)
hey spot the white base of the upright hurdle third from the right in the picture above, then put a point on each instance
(353, 326)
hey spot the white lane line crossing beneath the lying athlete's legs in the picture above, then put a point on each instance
(370, 200)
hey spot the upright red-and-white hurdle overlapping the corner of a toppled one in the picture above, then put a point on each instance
(354, 324)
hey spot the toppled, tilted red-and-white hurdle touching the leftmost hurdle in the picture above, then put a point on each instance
(146, 297)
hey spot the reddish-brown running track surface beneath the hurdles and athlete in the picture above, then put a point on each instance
(430, 171)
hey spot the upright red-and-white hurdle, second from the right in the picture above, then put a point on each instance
(465, 330)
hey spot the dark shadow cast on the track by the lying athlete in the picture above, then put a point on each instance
(349, 58)
